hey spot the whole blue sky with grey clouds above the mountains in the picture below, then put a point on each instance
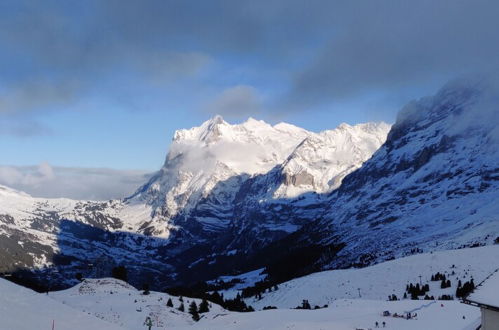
(103, 84)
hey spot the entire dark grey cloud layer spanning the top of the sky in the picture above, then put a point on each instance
(57, 52)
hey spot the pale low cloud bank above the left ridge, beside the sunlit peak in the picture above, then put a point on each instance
(77, 183)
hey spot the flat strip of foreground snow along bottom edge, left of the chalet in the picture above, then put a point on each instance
(352, 314)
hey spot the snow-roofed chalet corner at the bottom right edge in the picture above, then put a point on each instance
(486, 296)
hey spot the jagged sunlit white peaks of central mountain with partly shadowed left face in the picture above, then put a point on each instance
(200, 182)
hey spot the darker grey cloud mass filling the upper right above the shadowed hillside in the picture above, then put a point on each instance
(386, 46)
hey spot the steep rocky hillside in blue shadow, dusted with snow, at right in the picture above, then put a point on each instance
(433, 185)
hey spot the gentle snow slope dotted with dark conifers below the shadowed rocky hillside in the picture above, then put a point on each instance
(391, 277)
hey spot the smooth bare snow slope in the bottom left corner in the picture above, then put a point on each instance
(23, 309)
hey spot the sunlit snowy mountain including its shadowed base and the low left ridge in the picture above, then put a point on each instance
(207, 201)
